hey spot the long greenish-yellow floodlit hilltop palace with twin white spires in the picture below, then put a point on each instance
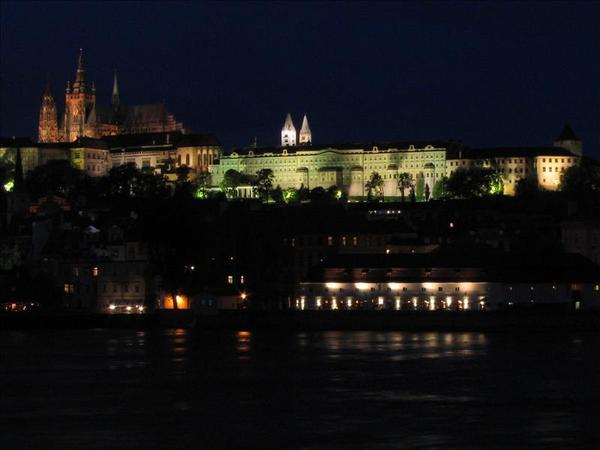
(350, 166)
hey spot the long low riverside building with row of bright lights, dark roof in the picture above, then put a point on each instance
(450, 281)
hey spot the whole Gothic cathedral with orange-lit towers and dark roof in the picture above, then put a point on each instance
(84, 118)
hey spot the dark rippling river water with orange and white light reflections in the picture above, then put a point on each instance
(175, 389)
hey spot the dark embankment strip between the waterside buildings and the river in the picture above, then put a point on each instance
(492, 321)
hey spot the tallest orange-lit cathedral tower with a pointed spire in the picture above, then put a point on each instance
(79, 103)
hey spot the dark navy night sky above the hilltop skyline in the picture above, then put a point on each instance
(485, 73)
